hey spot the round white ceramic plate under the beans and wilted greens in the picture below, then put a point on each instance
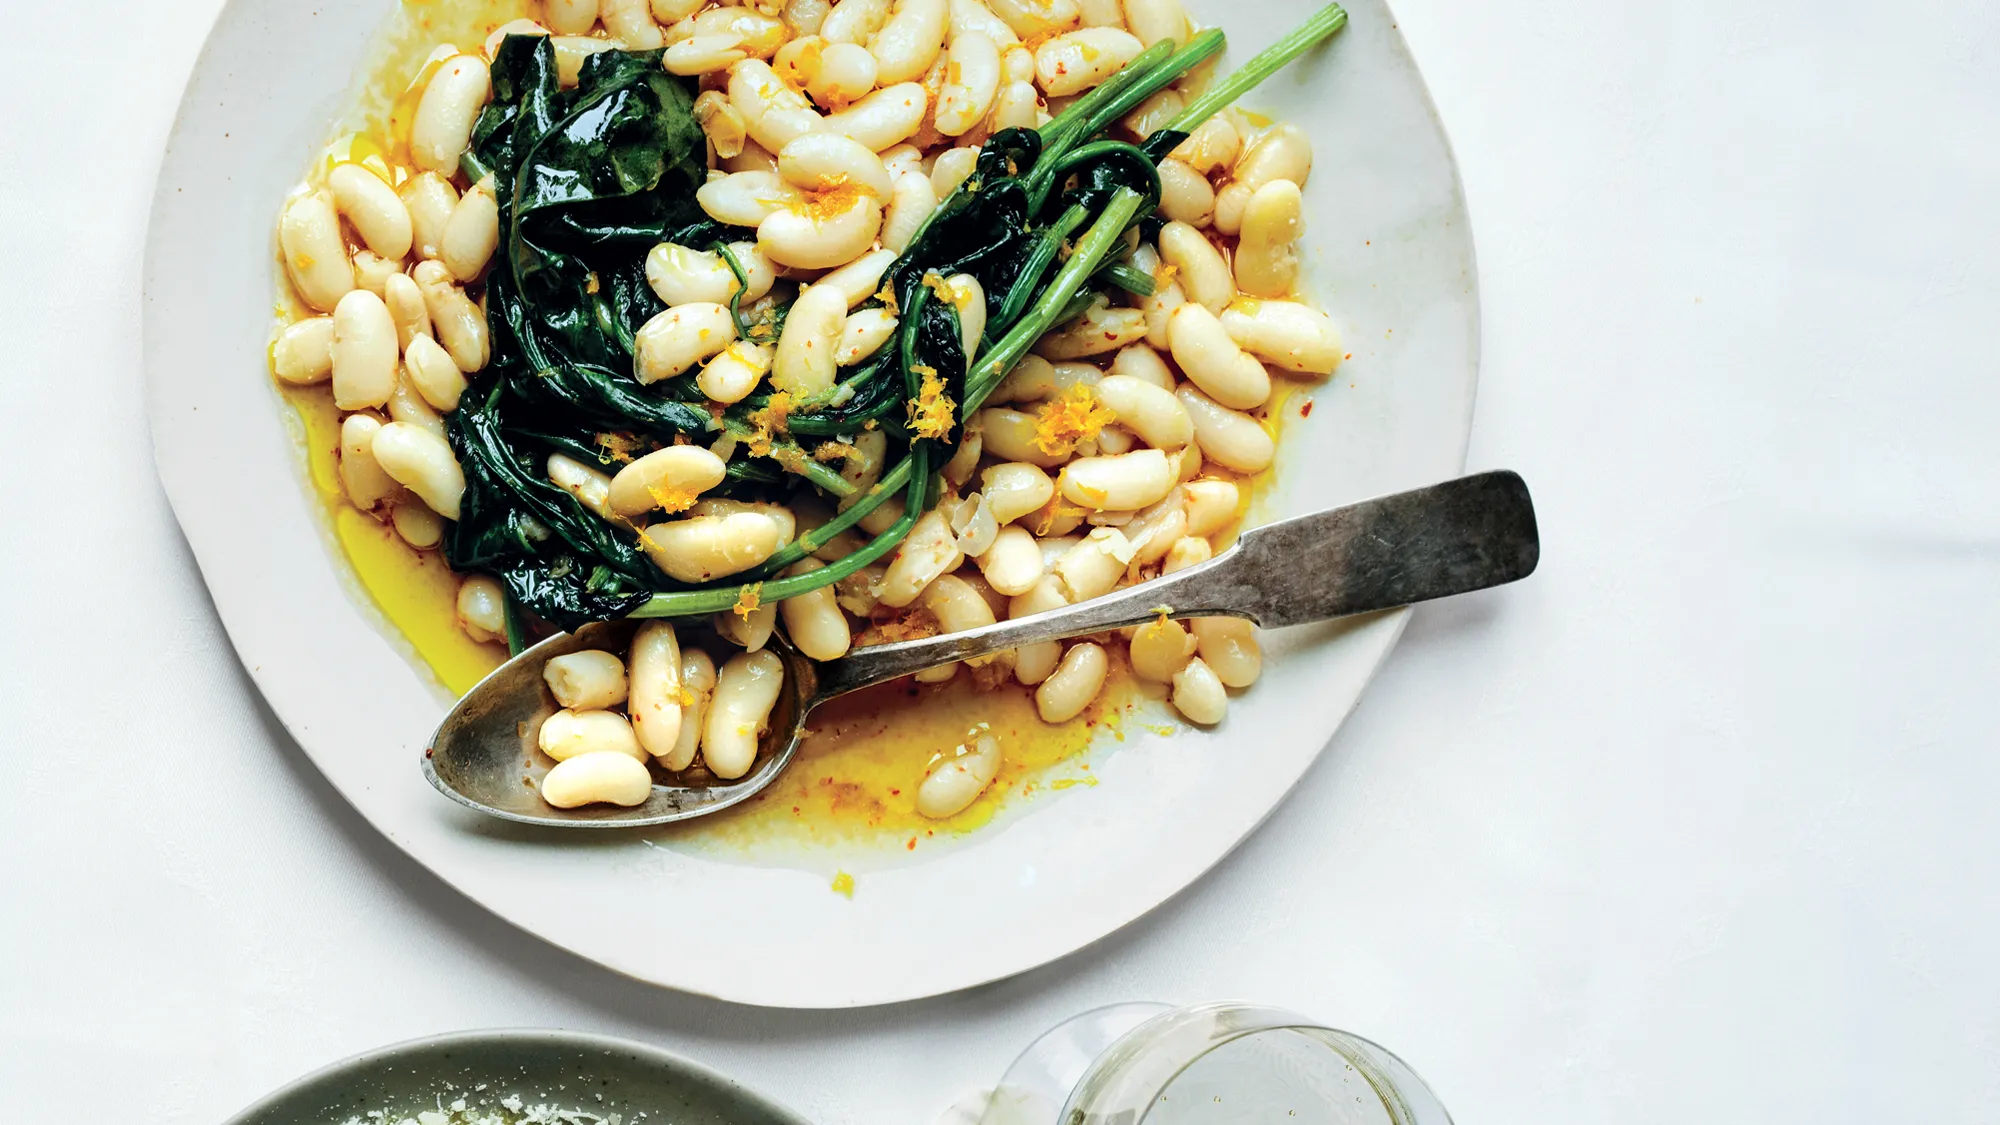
(1391, 257)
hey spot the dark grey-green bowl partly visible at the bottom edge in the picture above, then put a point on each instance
(557, 1068)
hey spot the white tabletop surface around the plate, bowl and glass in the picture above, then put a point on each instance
(1699, 826)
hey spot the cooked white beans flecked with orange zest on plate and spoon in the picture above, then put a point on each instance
(835, 131)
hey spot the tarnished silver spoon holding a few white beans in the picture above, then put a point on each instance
(1433, 543)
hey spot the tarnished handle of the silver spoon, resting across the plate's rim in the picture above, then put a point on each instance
(1413, 547)
